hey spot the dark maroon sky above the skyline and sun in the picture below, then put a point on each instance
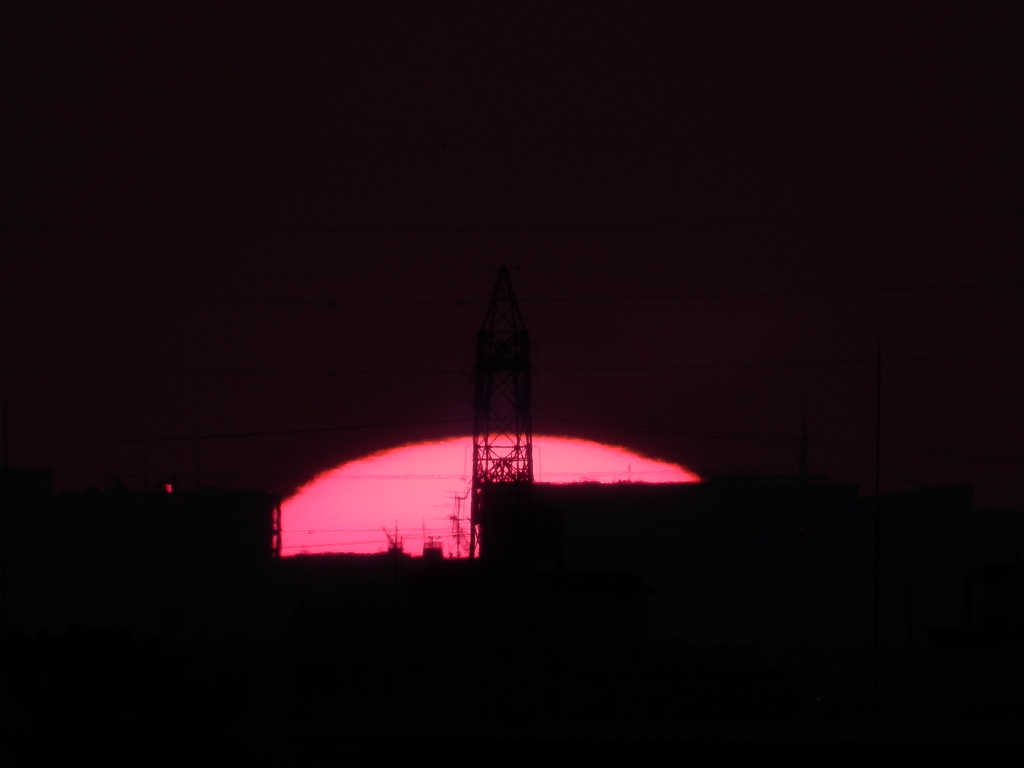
(254, 222)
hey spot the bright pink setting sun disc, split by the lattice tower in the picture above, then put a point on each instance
(412, 488)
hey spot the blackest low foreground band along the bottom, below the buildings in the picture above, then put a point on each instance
(92, 694)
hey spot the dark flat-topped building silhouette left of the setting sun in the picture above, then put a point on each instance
(157, 563)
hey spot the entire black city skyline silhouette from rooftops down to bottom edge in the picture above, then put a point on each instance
(727, 620)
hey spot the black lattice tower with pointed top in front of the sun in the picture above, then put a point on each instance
(503, 440)
